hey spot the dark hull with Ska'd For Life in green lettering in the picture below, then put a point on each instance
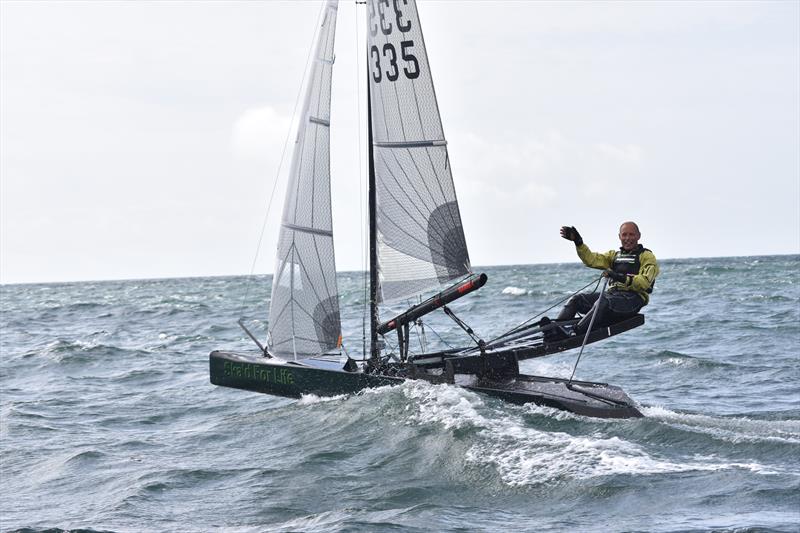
(323, 377)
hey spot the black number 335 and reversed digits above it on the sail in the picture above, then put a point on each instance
(384, 60)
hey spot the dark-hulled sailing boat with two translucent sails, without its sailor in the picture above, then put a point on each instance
(416, 245)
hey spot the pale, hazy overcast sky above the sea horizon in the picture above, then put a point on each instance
(144, 139)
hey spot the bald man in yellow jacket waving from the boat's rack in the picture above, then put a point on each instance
(631, 270)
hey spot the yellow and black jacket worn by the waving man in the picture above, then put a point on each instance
(639, 266)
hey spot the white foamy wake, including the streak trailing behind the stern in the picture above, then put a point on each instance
(519, 454)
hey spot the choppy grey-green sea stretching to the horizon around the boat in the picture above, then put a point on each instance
(108, 421)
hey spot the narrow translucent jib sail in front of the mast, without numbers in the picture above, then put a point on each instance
(304, 310)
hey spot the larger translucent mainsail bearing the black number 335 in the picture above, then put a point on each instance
(420, 237)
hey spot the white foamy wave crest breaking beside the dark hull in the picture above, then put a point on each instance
(523, 455)
